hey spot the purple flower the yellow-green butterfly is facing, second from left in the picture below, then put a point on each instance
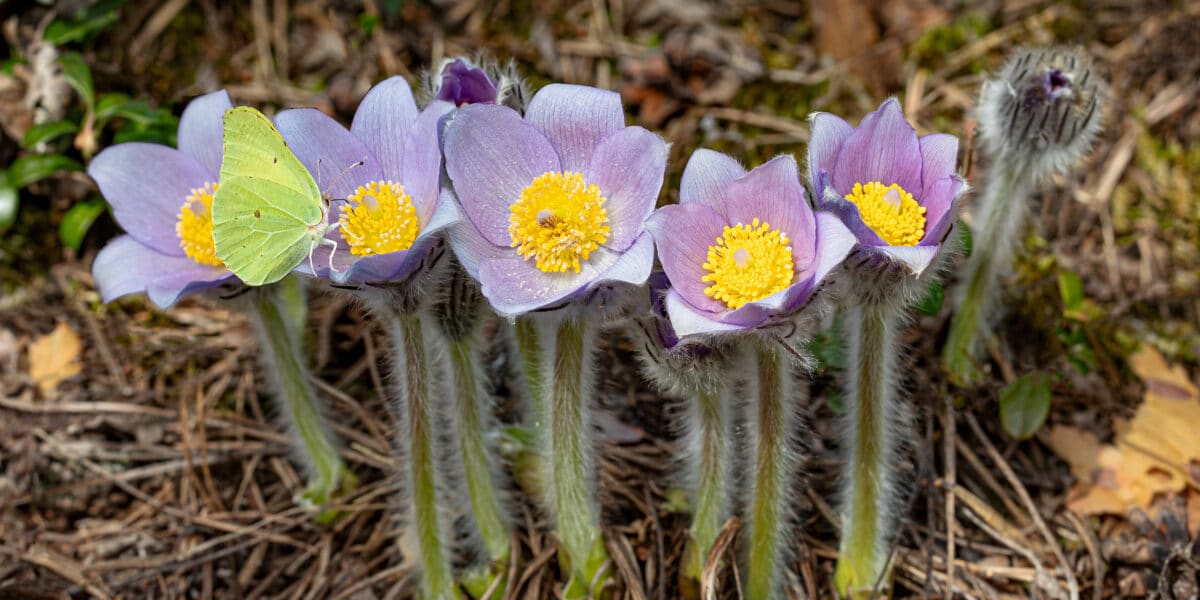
(385, 177)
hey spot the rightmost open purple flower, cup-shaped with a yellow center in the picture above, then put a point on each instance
(897, 193)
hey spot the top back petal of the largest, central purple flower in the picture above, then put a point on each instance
(575, 119)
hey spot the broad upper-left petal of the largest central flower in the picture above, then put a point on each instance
(493, 155)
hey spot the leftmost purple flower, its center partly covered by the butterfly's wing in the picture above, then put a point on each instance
(163, 197)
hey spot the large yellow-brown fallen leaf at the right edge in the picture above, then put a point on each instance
(1154, 454)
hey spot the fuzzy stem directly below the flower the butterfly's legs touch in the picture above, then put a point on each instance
(416, 413)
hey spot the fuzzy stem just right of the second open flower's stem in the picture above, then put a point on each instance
(472, 418)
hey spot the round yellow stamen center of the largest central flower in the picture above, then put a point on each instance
(559, 221)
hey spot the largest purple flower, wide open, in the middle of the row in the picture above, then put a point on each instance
(555, 202)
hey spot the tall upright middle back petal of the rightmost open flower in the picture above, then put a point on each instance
(884, 149)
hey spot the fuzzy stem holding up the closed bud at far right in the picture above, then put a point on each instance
(994, 243)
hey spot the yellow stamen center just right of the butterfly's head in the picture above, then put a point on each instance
(379, 219)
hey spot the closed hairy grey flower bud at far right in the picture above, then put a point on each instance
(1043, 110)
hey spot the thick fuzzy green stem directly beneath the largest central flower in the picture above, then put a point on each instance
(567, 448)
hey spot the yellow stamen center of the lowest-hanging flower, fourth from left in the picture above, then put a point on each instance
(748, 263)
